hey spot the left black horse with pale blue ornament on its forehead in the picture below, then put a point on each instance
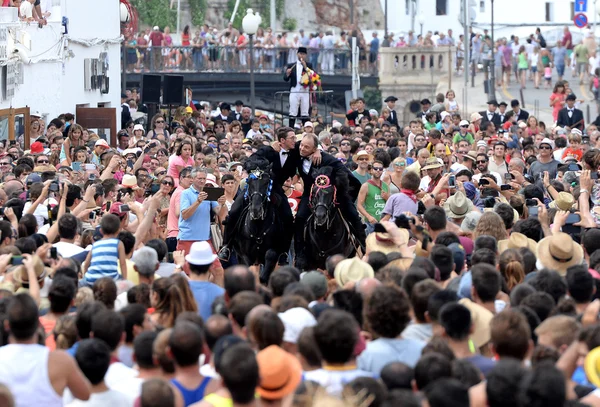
(259, 228)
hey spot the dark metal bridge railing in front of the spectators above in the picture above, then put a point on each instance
(233, 59)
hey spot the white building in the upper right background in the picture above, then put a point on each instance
(518, 17)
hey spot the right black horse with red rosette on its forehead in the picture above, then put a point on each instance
(326, 232)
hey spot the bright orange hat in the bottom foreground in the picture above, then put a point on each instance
(280, 373)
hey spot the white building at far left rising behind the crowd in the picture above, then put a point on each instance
(52, 71)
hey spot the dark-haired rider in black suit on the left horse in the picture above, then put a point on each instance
(289, 156)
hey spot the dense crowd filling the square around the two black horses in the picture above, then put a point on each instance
(475, 283)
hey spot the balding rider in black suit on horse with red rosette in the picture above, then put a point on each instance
(306, 149)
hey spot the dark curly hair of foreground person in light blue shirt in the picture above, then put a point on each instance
(388, 311)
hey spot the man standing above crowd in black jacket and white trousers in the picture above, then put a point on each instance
(299, 95)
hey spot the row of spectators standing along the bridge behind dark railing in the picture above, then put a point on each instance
(214, 49)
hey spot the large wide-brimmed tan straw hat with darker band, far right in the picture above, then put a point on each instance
(559, 252)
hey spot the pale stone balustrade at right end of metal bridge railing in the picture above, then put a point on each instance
(394, 62)
